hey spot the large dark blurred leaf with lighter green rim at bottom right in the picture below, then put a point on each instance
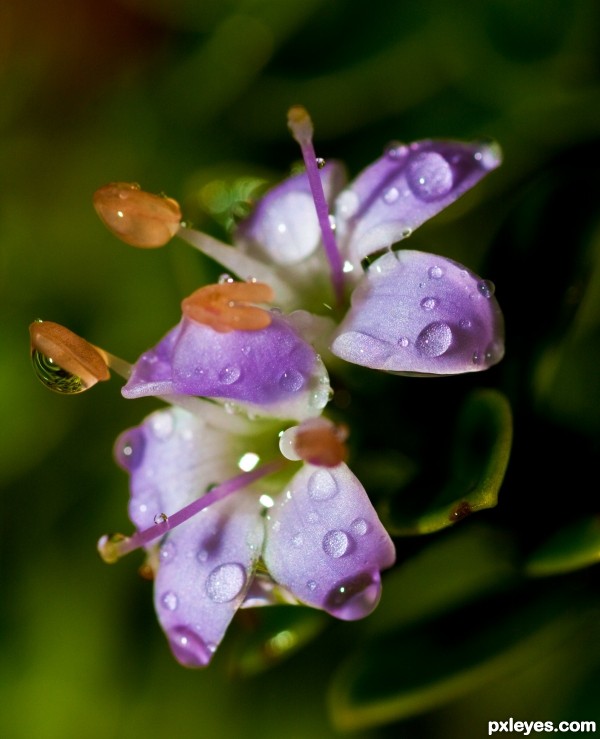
(412, 672)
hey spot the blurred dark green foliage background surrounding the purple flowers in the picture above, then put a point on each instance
(492, 617)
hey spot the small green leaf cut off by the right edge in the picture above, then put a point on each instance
(571, 548)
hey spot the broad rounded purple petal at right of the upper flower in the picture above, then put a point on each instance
(414, 312)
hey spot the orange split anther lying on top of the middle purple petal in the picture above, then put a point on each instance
(228, 306)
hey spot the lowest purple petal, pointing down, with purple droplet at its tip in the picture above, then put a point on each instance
(206, 567)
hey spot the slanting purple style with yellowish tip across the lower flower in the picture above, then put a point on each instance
(113, 547)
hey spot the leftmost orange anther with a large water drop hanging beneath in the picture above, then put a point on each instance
(63, 361)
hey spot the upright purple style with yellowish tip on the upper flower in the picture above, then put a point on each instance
(301, 127)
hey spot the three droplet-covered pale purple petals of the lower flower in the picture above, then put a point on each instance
(319, 537)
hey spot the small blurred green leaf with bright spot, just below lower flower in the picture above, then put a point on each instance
(274, 634)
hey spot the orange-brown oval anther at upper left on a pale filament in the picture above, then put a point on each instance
(138, 218)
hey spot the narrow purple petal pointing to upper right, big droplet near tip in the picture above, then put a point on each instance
(406, 187)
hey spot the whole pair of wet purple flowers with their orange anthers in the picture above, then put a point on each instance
(237, 372)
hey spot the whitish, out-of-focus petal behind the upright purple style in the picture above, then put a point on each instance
(283, 228)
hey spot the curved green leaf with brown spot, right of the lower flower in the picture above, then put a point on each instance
(481, 449)
